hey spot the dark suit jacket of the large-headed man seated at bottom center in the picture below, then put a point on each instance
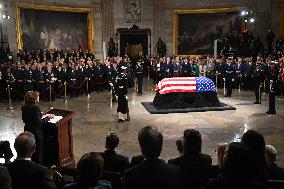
(153, 174)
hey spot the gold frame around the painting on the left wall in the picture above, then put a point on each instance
(90, 19)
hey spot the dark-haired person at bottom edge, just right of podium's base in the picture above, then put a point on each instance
(89, 172)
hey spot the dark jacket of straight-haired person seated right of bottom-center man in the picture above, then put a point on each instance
(195, 169)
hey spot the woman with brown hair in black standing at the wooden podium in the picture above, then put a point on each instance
(32, 117)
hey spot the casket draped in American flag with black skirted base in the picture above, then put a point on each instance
(185, 92)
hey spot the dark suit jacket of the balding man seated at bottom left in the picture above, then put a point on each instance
(29, 175)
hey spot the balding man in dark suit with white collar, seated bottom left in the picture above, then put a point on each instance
(26, 174)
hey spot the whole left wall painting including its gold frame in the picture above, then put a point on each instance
(54, 27)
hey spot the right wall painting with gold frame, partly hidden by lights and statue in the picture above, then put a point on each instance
(195, 30)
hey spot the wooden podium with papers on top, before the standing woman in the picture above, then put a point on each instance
(58, 140)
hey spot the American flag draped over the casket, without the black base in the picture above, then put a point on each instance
(185, 84)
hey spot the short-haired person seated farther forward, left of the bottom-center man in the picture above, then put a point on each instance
(113, 161)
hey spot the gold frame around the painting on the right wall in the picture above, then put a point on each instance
(195, 11)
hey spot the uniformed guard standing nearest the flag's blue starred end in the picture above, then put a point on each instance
(229, 76)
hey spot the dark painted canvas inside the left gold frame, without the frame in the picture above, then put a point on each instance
(53, 29)
